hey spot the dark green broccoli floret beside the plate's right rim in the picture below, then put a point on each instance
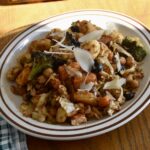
(134, 49)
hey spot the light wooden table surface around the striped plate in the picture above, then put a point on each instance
(135, 135)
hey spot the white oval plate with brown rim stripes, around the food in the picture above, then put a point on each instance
(9, 103)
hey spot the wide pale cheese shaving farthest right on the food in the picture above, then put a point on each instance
(115, 84)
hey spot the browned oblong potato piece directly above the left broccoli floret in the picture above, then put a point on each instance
(40, 45)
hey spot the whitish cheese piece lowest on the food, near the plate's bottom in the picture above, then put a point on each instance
(66, 105)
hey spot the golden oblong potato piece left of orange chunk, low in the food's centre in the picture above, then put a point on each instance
(85, 97)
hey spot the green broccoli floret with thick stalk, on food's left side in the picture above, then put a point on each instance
(40, 62)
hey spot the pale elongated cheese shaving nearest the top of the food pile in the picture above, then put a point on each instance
(94, 35)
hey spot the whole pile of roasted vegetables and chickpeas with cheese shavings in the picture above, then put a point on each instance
(77, 75)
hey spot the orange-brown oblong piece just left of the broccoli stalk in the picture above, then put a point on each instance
(22, 78)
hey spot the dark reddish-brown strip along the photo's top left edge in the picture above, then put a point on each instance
(18, 2)
